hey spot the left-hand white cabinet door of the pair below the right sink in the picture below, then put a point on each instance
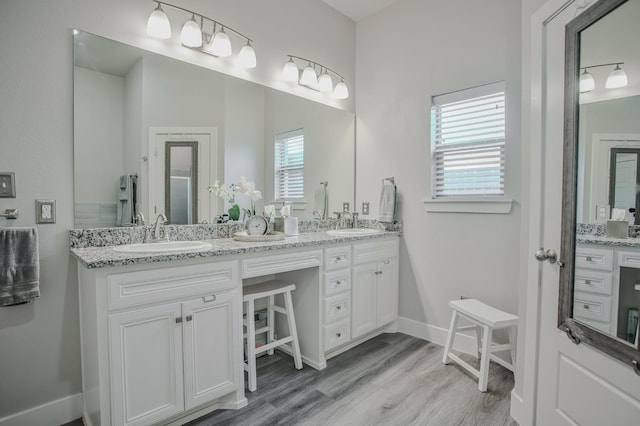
(363, 300)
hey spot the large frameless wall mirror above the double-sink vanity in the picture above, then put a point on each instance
(128, 102)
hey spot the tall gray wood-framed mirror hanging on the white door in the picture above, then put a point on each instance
(599, 284)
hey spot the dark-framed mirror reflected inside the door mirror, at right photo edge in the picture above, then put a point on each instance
(623, 182)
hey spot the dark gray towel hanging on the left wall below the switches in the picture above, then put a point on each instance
(19, 265)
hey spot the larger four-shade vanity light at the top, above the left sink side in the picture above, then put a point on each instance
(201, 33)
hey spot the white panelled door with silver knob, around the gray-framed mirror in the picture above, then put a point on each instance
(575, 383)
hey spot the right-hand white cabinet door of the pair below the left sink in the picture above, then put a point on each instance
(210, 339)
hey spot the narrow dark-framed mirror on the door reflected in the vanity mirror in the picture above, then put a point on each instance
(181, 182)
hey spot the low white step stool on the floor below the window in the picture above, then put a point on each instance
(486, 319)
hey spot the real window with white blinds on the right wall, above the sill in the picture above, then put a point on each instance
(468, 139)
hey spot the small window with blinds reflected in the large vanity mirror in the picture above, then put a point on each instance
(289, 165)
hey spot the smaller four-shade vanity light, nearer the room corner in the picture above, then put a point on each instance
(310, 79)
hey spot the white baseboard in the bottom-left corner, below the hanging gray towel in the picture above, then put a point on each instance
(52, 413)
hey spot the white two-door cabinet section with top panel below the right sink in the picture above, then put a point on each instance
(375, 280)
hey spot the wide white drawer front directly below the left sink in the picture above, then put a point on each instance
(142, 287)
